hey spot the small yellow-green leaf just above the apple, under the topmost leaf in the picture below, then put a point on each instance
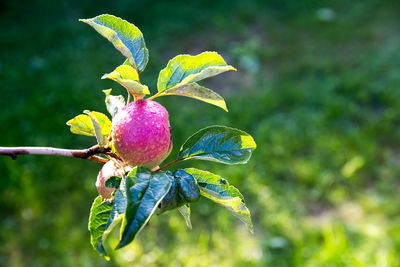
(128, 77)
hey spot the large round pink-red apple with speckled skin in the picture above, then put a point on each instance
(141, 133)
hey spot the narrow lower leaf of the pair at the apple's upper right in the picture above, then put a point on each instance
(198, 92)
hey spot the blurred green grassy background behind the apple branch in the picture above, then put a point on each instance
(317, 86)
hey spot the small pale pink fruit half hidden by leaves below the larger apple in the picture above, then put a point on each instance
(108, 170)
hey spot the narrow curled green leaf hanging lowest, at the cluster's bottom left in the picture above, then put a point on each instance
(99, 215)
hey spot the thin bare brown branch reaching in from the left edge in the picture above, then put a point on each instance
(89, 153)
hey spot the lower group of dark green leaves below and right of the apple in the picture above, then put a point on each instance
(141, 192)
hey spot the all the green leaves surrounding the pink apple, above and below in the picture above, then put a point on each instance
(140, 191)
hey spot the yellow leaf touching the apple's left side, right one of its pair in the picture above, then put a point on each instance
(101, 125)
